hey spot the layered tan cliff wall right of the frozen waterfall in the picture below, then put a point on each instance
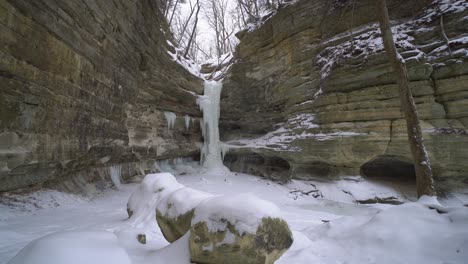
(313, 88)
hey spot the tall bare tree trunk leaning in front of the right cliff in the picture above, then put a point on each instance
(422, 165)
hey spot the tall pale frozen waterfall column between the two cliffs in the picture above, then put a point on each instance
(209, 105)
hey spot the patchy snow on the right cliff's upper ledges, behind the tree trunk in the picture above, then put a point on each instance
(365, 41)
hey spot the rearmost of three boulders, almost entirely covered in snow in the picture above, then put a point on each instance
(152, 190)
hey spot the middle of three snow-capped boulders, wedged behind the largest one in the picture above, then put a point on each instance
(174, 213)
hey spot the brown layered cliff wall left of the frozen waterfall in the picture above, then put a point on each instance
(84, 85)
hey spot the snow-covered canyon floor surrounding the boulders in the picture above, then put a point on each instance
(328, 225)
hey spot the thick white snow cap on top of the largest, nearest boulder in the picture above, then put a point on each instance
(245, 211)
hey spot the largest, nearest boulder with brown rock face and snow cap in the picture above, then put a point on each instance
(238, 229)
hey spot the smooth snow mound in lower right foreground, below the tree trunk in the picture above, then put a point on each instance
(409, 233)
